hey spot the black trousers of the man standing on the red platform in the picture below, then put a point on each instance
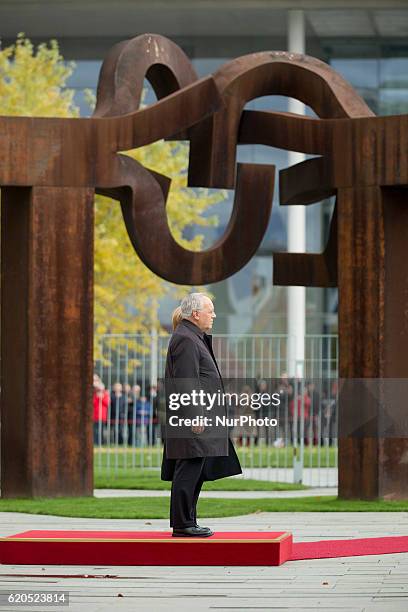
(185, 489)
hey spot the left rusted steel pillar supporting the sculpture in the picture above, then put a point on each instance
(47, 321)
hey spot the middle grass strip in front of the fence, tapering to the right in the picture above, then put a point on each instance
(136, 478)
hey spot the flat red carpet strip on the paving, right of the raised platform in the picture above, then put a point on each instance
(325, 549)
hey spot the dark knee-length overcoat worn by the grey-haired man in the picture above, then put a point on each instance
(190, 357)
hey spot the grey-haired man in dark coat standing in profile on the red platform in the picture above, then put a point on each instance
(200, 454)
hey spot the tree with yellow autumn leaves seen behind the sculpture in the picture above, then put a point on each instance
(33, 83)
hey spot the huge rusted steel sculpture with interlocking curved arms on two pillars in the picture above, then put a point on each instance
(51, 168)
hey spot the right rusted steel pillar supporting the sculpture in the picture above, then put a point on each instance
(373, 324)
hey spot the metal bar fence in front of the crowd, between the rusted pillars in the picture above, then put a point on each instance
(301, 449)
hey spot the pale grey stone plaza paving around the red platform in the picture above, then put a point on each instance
(377, 583)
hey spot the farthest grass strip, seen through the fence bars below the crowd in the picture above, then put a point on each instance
(255, 456)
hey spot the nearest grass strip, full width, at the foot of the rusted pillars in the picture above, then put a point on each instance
(158, 507)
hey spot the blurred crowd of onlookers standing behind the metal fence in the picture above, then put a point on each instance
(134, 415)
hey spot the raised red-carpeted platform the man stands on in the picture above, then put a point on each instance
(144, 548)
